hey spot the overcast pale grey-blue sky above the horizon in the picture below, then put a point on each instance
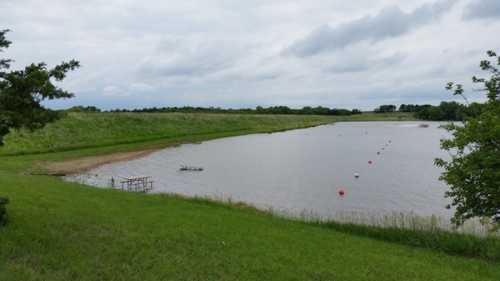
(336, 53)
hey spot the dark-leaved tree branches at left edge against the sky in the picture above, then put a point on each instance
(22, 91)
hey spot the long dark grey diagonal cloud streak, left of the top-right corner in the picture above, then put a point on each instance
(389, 22)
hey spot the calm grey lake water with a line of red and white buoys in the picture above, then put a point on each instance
(301, 171)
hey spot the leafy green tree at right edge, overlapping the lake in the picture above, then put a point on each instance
(473, 172)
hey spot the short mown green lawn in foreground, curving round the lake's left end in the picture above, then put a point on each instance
(65, 231)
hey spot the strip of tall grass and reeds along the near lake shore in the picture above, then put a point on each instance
(473, 239)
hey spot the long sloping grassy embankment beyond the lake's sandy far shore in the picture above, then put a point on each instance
(82, 130)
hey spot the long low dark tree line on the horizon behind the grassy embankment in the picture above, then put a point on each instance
(307, 110)
